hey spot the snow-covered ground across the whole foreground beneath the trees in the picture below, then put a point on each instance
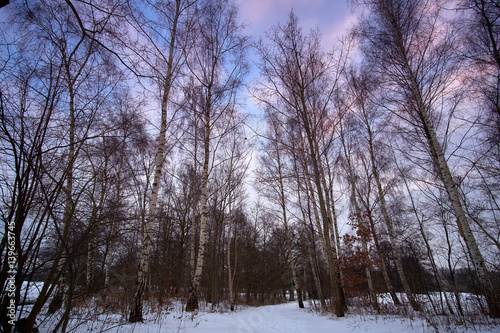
(286, 318)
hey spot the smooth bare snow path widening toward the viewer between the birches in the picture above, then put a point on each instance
(286, 318)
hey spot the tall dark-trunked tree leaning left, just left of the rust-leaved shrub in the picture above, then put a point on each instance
(298, 81)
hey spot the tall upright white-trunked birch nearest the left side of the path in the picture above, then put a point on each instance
(216, 66)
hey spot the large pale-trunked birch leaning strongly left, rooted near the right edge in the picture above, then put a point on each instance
(404, 57)
